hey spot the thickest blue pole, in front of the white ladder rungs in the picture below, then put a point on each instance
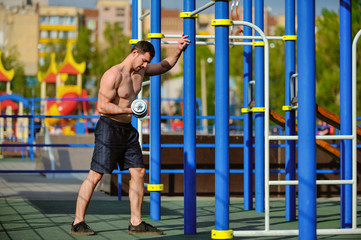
(306, 119)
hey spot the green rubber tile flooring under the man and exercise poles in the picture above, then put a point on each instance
(51, 219)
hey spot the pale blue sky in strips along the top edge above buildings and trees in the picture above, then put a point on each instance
(276, 6)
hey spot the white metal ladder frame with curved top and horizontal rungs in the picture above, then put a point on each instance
(267, 231)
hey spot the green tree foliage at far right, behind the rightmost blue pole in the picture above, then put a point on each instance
(328, 57)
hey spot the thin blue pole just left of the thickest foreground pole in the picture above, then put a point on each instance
(290, 149)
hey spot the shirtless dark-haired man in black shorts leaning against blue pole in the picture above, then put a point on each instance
(116, 140)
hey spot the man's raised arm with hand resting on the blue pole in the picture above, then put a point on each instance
(169, 62)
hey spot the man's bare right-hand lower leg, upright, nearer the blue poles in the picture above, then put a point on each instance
(136, 193)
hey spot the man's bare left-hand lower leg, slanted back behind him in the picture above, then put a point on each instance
(85, 193)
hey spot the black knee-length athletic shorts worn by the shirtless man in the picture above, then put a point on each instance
(116, 143)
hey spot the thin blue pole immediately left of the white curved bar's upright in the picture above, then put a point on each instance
(259, 115)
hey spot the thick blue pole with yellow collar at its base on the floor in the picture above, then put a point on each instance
(222, 118)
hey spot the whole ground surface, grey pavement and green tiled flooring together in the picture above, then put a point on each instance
(33, 206)
